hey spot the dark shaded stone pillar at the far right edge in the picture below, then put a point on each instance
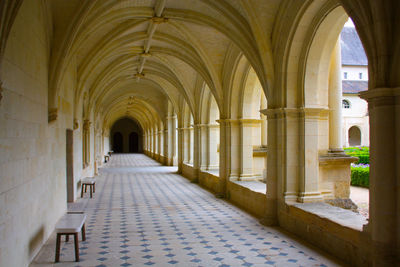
(384, 203)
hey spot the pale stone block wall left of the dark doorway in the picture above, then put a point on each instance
(32, 152)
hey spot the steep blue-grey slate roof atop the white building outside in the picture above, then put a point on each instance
(352, 50)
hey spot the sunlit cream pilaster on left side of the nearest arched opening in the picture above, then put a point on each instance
(309, 159)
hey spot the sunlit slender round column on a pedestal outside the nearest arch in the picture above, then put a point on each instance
(335, 101)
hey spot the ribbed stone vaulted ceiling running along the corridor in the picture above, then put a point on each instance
(155, 51)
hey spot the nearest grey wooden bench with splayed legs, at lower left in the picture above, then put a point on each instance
(70, 224)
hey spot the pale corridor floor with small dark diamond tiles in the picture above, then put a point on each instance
(143, 214)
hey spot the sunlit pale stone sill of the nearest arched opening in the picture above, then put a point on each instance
(337, 215)
